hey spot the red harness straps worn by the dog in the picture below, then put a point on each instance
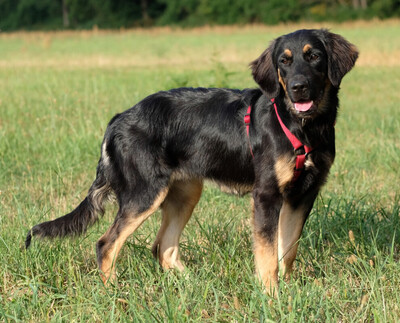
(296, 143)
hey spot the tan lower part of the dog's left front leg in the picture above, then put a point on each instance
(266, 260)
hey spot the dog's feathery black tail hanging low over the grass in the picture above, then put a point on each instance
(85, 215)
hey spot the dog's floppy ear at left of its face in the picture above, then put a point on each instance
(265, 73)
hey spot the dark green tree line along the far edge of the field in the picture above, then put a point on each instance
(85, 14)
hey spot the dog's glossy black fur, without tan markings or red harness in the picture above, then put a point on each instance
(200, 133)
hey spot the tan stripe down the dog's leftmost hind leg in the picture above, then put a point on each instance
(117, 239)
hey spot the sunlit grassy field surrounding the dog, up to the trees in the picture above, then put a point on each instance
(57, 93)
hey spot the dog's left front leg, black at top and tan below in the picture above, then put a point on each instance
(267, 206)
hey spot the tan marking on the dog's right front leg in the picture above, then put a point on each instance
(290, 226)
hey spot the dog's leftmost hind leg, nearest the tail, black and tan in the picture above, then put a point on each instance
(126, 222)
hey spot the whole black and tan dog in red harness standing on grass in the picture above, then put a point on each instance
(276, 142)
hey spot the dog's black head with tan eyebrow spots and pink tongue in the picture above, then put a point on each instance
(304, 66)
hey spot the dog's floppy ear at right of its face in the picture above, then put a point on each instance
(342, 56)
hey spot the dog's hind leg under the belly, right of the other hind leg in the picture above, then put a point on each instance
(176, 211)
